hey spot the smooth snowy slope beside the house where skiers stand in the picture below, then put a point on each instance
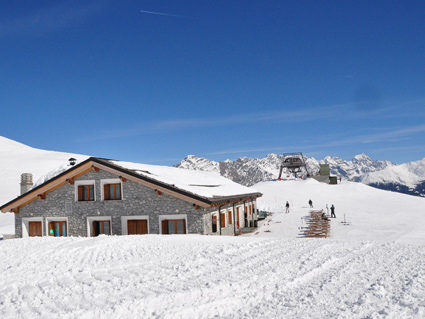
(374, 214)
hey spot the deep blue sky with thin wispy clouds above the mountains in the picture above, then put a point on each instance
(155, 81)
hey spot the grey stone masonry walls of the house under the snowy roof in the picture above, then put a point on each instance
(137, 200)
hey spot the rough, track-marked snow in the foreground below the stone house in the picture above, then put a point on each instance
(209, 277)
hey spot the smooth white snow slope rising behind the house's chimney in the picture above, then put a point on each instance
(17, 158)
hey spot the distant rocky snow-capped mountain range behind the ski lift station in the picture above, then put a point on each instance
(406, 178)
